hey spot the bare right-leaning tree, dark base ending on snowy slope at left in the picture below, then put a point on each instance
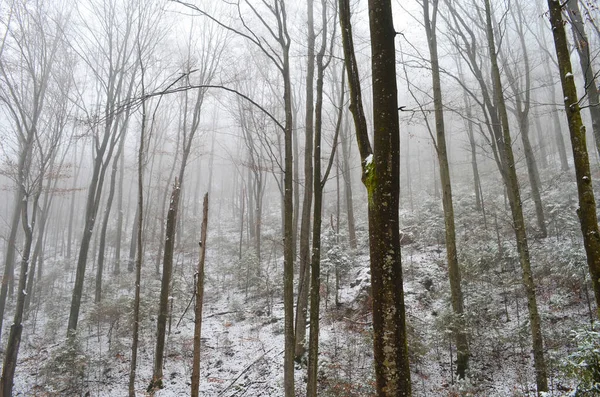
(112, 62)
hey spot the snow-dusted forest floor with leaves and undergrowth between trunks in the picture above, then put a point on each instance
(242, 330)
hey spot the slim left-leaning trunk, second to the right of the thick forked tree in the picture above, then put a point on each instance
(512, 186)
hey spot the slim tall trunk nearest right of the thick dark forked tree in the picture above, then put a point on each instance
(462, 345)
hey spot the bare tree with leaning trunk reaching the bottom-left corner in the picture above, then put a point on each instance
(39, 38)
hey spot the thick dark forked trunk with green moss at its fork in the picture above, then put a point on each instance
(381, 176)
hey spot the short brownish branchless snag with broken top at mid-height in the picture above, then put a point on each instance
(199, 301)
